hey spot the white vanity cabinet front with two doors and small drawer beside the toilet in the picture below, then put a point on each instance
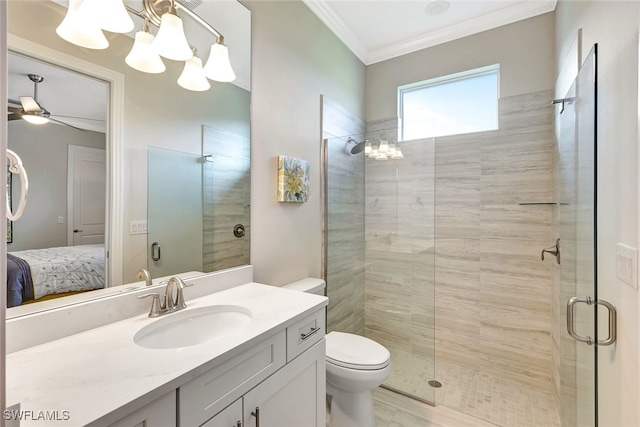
(269, 385)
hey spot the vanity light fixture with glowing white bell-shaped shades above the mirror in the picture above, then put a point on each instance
(85, 20)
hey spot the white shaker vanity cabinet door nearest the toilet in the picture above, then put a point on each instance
(292, 397)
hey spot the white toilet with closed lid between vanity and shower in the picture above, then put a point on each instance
(355, 366)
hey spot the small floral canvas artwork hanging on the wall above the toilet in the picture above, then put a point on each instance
(293, 179)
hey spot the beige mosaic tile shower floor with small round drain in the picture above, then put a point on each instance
(473, 393)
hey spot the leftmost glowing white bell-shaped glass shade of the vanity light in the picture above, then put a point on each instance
(77, 30)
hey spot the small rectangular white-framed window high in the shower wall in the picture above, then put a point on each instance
(449, 105)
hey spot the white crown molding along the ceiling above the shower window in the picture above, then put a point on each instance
(508, 15)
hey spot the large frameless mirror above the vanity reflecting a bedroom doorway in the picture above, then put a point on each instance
(111, 110)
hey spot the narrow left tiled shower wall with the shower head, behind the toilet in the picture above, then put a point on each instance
(344, 219)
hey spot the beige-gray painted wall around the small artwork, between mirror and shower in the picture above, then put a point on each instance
(295, 59)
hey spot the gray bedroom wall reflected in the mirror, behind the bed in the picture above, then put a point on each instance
(43, 150)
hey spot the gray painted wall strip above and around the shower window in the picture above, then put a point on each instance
(523, 49)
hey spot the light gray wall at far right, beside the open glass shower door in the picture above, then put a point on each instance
(614, 25)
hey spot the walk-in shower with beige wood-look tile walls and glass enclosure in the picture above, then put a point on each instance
(436, 256)
